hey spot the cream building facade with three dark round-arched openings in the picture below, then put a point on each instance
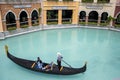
(96, 10)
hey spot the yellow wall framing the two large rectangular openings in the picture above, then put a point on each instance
(47, 5)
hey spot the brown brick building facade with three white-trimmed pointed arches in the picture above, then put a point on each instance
(16, 14)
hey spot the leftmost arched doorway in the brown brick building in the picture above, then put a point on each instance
(10, 21)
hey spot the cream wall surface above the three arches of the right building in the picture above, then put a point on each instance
(108, 7)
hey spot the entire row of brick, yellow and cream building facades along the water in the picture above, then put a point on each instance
(16, 14)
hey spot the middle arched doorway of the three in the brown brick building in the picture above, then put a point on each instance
(23, 19)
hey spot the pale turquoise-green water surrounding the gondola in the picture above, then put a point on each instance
(100, 48)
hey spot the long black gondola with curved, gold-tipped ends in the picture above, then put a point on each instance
(31, 65)
